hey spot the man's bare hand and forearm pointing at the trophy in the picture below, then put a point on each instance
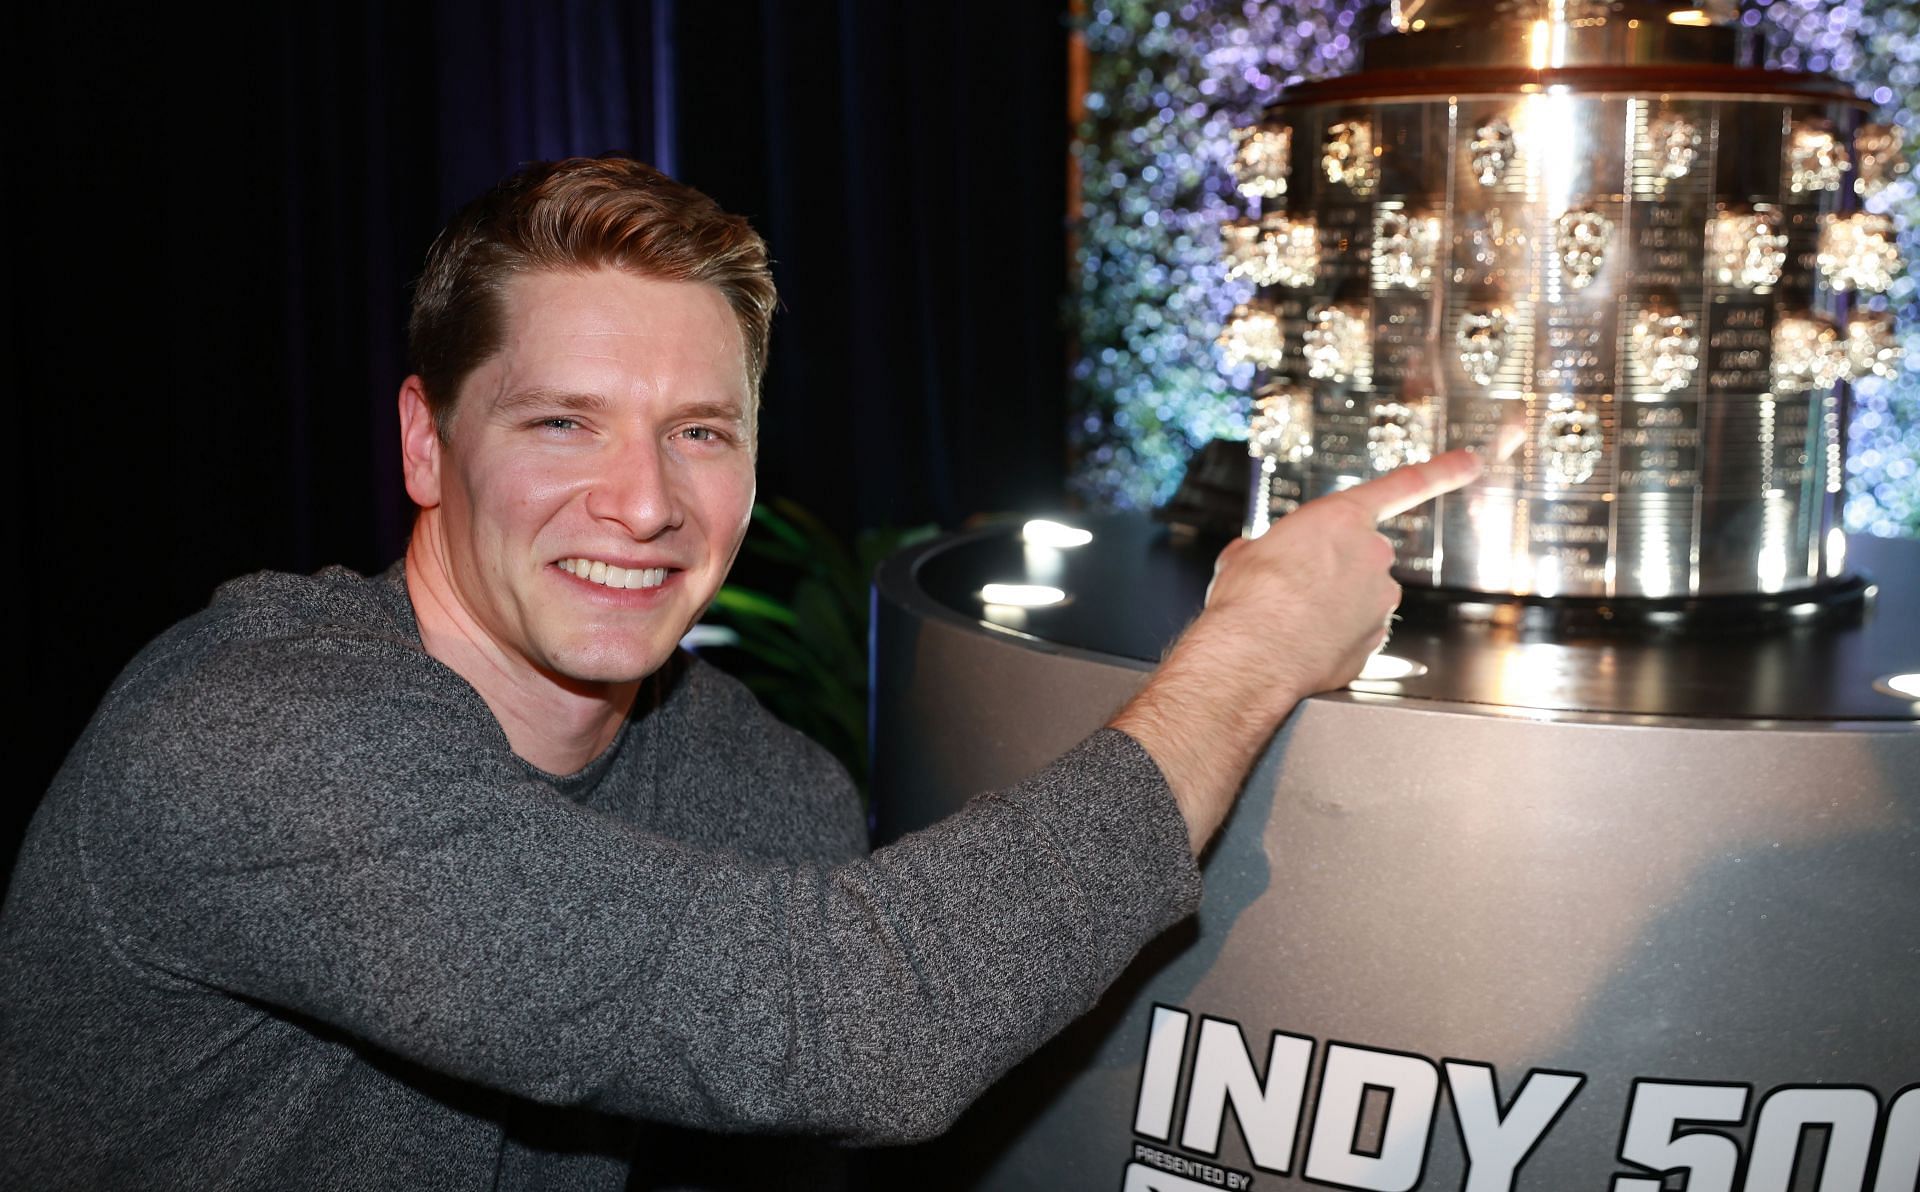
(1291, 613)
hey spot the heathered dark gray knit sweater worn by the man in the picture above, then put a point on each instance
(295, 917)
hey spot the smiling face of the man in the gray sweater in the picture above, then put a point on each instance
(598, 473)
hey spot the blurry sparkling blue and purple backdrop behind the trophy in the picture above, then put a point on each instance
(1166, 89)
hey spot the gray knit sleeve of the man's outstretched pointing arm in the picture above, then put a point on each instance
(364, 851)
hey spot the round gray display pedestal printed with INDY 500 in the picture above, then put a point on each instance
(1679, 870)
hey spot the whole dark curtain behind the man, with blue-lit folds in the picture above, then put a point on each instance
(216, 216)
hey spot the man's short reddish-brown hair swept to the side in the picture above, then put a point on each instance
(571, 218)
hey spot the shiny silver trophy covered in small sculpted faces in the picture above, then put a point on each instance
(1583, 237)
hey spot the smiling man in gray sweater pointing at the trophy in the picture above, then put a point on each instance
(448, 876)
